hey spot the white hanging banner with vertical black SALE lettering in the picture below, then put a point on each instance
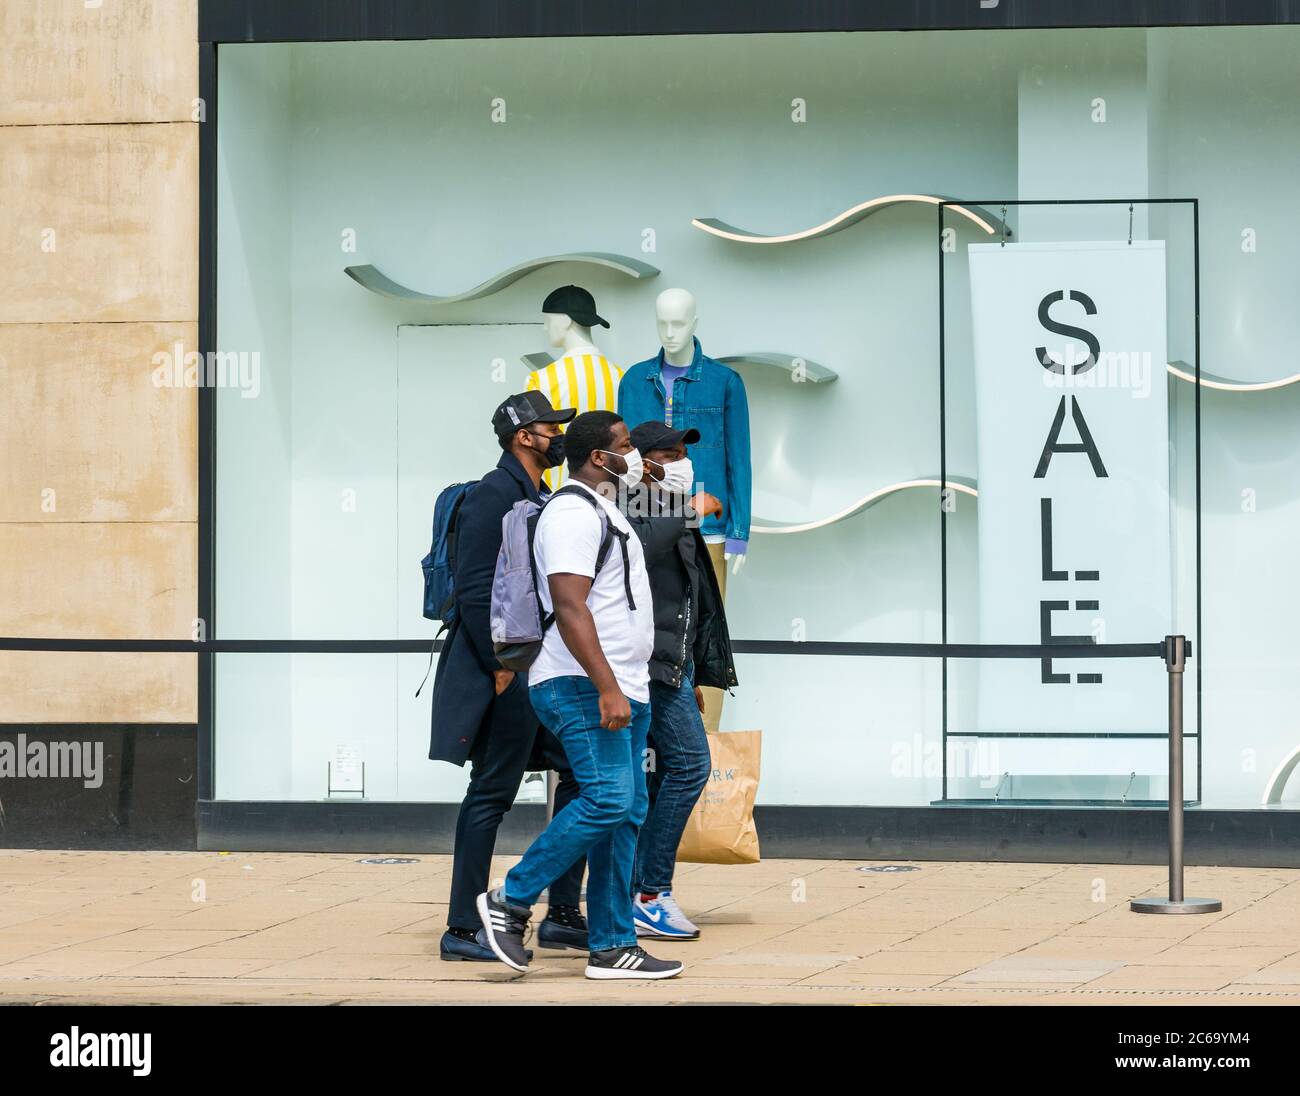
(1074, 483)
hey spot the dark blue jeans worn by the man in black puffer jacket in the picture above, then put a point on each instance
(681, 770)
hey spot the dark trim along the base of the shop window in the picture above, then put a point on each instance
(985, 834)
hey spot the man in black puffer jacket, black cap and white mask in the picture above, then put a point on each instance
(692, 648)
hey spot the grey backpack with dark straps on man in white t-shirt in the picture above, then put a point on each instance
(517, 620)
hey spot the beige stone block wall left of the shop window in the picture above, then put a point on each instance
(99, 187)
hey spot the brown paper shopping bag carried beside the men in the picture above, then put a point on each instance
(721, 829)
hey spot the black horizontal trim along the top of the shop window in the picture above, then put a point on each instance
(389, 20)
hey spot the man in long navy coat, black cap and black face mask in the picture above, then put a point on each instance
(482, 713)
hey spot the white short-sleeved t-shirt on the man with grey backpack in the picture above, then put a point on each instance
(567, 541)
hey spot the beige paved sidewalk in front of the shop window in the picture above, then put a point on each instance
(317, 929)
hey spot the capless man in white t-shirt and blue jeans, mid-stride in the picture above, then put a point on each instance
(591, 687)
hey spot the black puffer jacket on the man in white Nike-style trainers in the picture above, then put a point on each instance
(690, 621)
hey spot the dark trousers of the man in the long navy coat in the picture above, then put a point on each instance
(509, 747)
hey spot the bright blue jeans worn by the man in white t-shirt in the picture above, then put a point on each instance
(603, 822)
